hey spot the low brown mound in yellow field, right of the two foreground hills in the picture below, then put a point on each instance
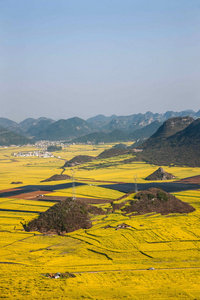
(158, 201)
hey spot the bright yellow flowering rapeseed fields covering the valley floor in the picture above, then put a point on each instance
(109, 261)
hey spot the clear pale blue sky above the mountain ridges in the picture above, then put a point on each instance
(66, 58)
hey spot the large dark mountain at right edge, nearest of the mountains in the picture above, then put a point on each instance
(176, 142)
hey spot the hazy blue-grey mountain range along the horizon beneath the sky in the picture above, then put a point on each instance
(97, 129)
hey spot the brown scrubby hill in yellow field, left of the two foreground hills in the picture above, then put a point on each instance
(63, 217)
